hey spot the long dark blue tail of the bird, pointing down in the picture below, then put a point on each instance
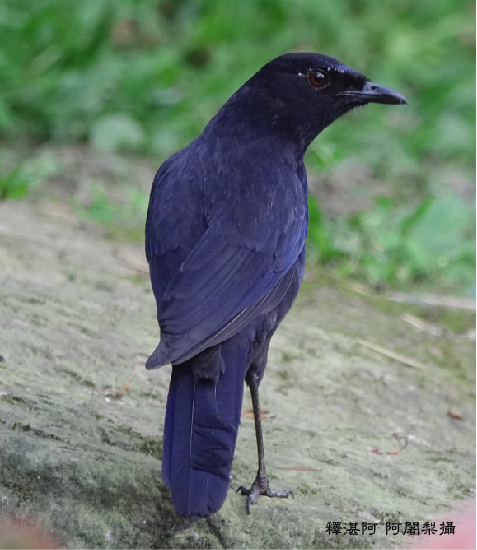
(202, 420)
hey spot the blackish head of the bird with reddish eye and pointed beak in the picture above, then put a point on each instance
(300, 94)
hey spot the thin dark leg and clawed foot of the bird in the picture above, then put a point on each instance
(261, 485)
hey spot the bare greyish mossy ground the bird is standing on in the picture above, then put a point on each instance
(370, 405)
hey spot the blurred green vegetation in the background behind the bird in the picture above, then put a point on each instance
(145, 76)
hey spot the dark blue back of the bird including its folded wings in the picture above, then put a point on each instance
(226, 222)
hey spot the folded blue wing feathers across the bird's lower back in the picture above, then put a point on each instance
(220, 286)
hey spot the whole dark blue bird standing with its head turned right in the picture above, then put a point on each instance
(225, 242)
